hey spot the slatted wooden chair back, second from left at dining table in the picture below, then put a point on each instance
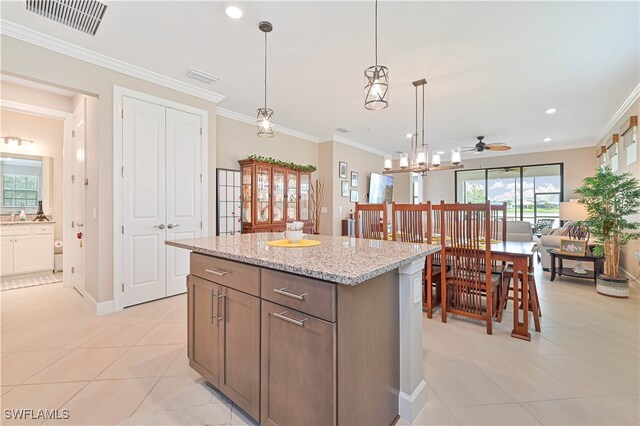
(411, 223)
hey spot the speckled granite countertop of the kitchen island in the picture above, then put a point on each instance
(342, 260)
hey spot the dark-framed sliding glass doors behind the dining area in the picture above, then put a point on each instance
(531, 192)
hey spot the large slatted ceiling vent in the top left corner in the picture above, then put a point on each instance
(85, 15)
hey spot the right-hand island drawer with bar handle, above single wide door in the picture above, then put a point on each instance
(307, 295)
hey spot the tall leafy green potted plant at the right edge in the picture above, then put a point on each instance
(610, 200)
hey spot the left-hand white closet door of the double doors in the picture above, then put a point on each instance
(144, 201)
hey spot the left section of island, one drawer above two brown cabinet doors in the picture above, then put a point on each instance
(224, 328)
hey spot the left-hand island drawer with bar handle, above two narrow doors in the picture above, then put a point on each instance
(235, 275)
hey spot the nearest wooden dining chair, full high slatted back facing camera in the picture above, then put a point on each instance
(469, 288)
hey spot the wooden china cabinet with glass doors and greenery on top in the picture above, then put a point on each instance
(273, 195)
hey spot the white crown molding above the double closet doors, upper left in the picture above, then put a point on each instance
(28, 35)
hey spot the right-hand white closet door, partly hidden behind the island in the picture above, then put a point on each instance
(184, 192)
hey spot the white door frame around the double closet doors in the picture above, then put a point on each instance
(118, 242)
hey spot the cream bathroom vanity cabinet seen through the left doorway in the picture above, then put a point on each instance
(26, 248)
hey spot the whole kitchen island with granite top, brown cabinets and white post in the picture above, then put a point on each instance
(330, 334)
